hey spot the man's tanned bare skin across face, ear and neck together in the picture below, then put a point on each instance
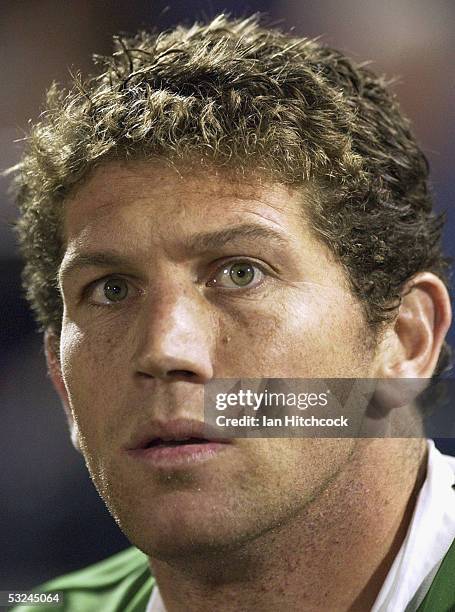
(289, 524)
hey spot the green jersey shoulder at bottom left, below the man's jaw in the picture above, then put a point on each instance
(122, 582)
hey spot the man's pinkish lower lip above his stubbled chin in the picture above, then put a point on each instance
(182, 455)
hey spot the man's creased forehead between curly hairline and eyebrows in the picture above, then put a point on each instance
(154, 196)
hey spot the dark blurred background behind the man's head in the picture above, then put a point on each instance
(51, 519)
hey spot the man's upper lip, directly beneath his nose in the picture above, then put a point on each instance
(177, 429)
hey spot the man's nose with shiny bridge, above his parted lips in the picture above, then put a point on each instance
(174, 338)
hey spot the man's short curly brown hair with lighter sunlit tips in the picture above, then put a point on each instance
(235, 93)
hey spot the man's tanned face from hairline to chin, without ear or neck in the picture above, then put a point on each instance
(144, 331)
